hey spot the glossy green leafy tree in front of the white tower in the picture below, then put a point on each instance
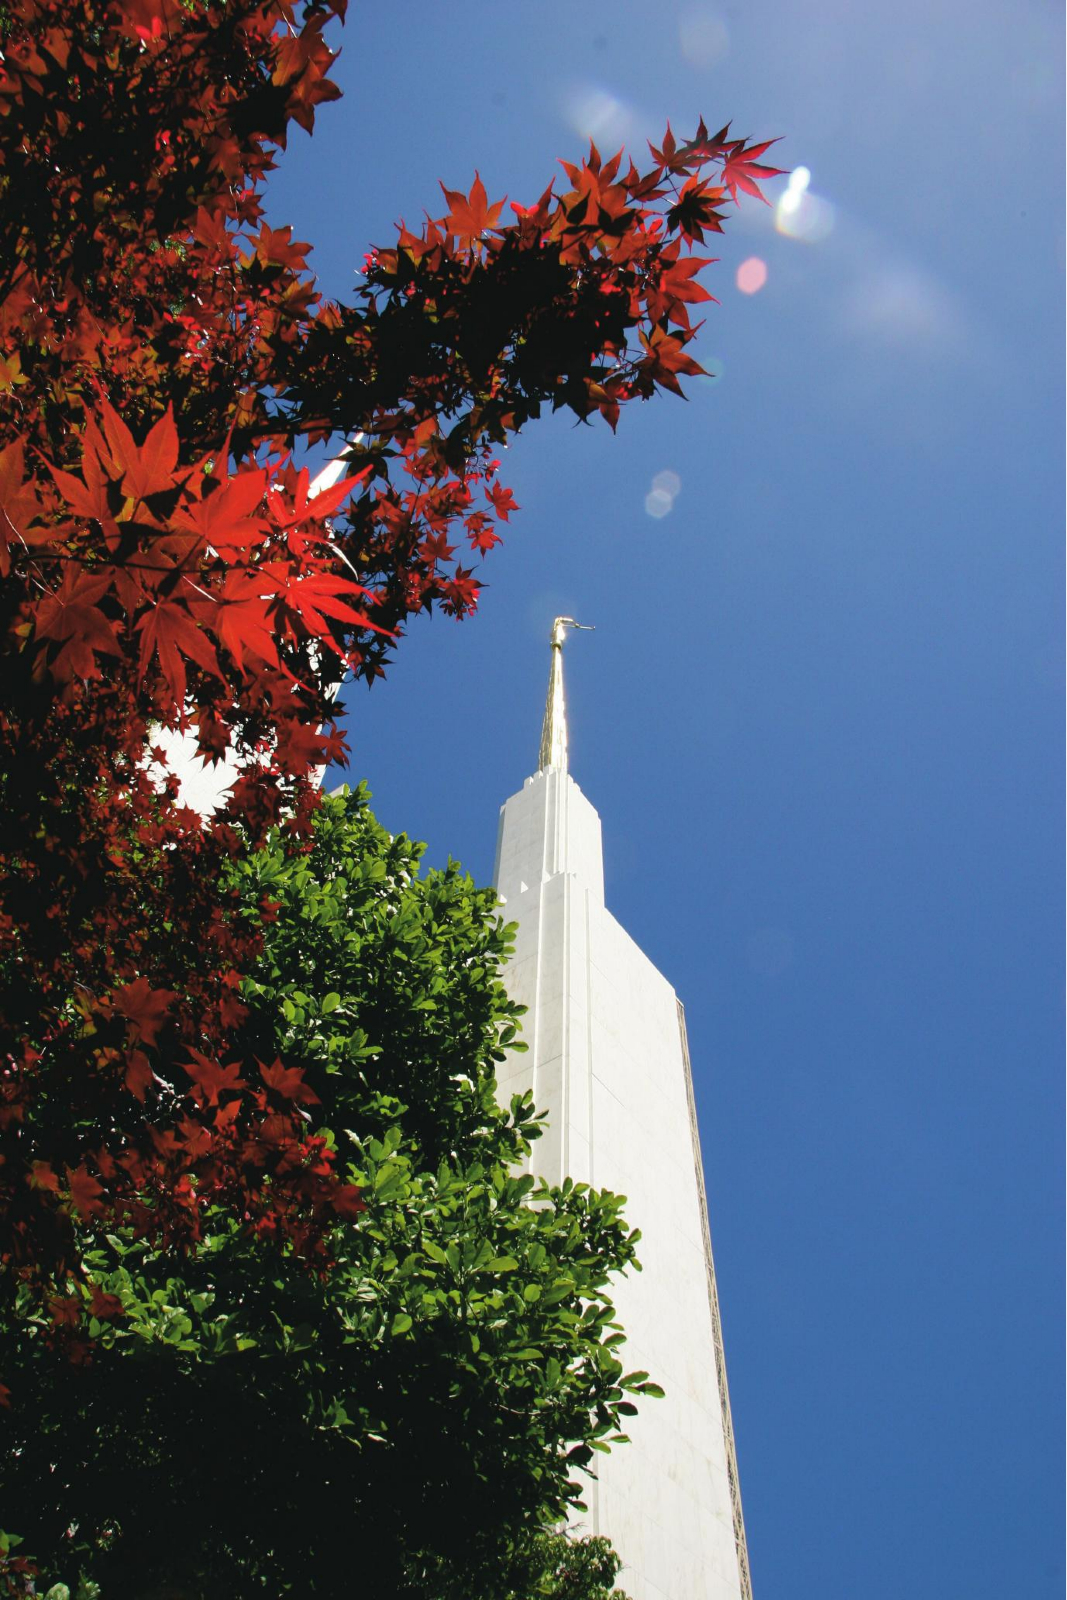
(407, 1417)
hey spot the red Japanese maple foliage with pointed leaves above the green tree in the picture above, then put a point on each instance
(166, 566)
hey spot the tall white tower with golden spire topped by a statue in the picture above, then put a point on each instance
(607, 1058)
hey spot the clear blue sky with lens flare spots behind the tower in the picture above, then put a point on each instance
(820, 718)
